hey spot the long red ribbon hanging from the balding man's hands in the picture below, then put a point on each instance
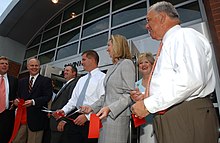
(20, 118)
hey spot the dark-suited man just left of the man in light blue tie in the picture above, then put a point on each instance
(62, 97)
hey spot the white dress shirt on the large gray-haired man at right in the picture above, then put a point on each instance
(184, 70)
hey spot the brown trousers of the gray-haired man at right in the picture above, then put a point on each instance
(188, 122)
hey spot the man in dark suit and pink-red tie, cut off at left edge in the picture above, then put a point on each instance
(7, 115)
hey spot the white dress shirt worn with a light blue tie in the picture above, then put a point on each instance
(94, 90)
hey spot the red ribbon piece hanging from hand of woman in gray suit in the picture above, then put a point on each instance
(94, 126)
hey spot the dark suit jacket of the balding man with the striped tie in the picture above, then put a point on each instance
(41, 93)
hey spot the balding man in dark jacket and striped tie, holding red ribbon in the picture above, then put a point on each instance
(36, 90)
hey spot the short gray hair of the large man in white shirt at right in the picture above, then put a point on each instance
(165, 7)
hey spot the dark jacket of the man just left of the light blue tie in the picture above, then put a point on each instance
(61, 100)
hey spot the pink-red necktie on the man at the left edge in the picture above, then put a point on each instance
(2, 95)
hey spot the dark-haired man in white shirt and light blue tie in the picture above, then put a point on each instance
(78, 131)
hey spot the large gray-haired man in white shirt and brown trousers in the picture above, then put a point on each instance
(181, 83)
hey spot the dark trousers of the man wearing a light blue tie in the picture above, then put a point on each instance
(77, 134)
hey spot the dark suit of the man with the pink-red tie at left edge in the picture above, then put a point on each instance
(7, 117)
